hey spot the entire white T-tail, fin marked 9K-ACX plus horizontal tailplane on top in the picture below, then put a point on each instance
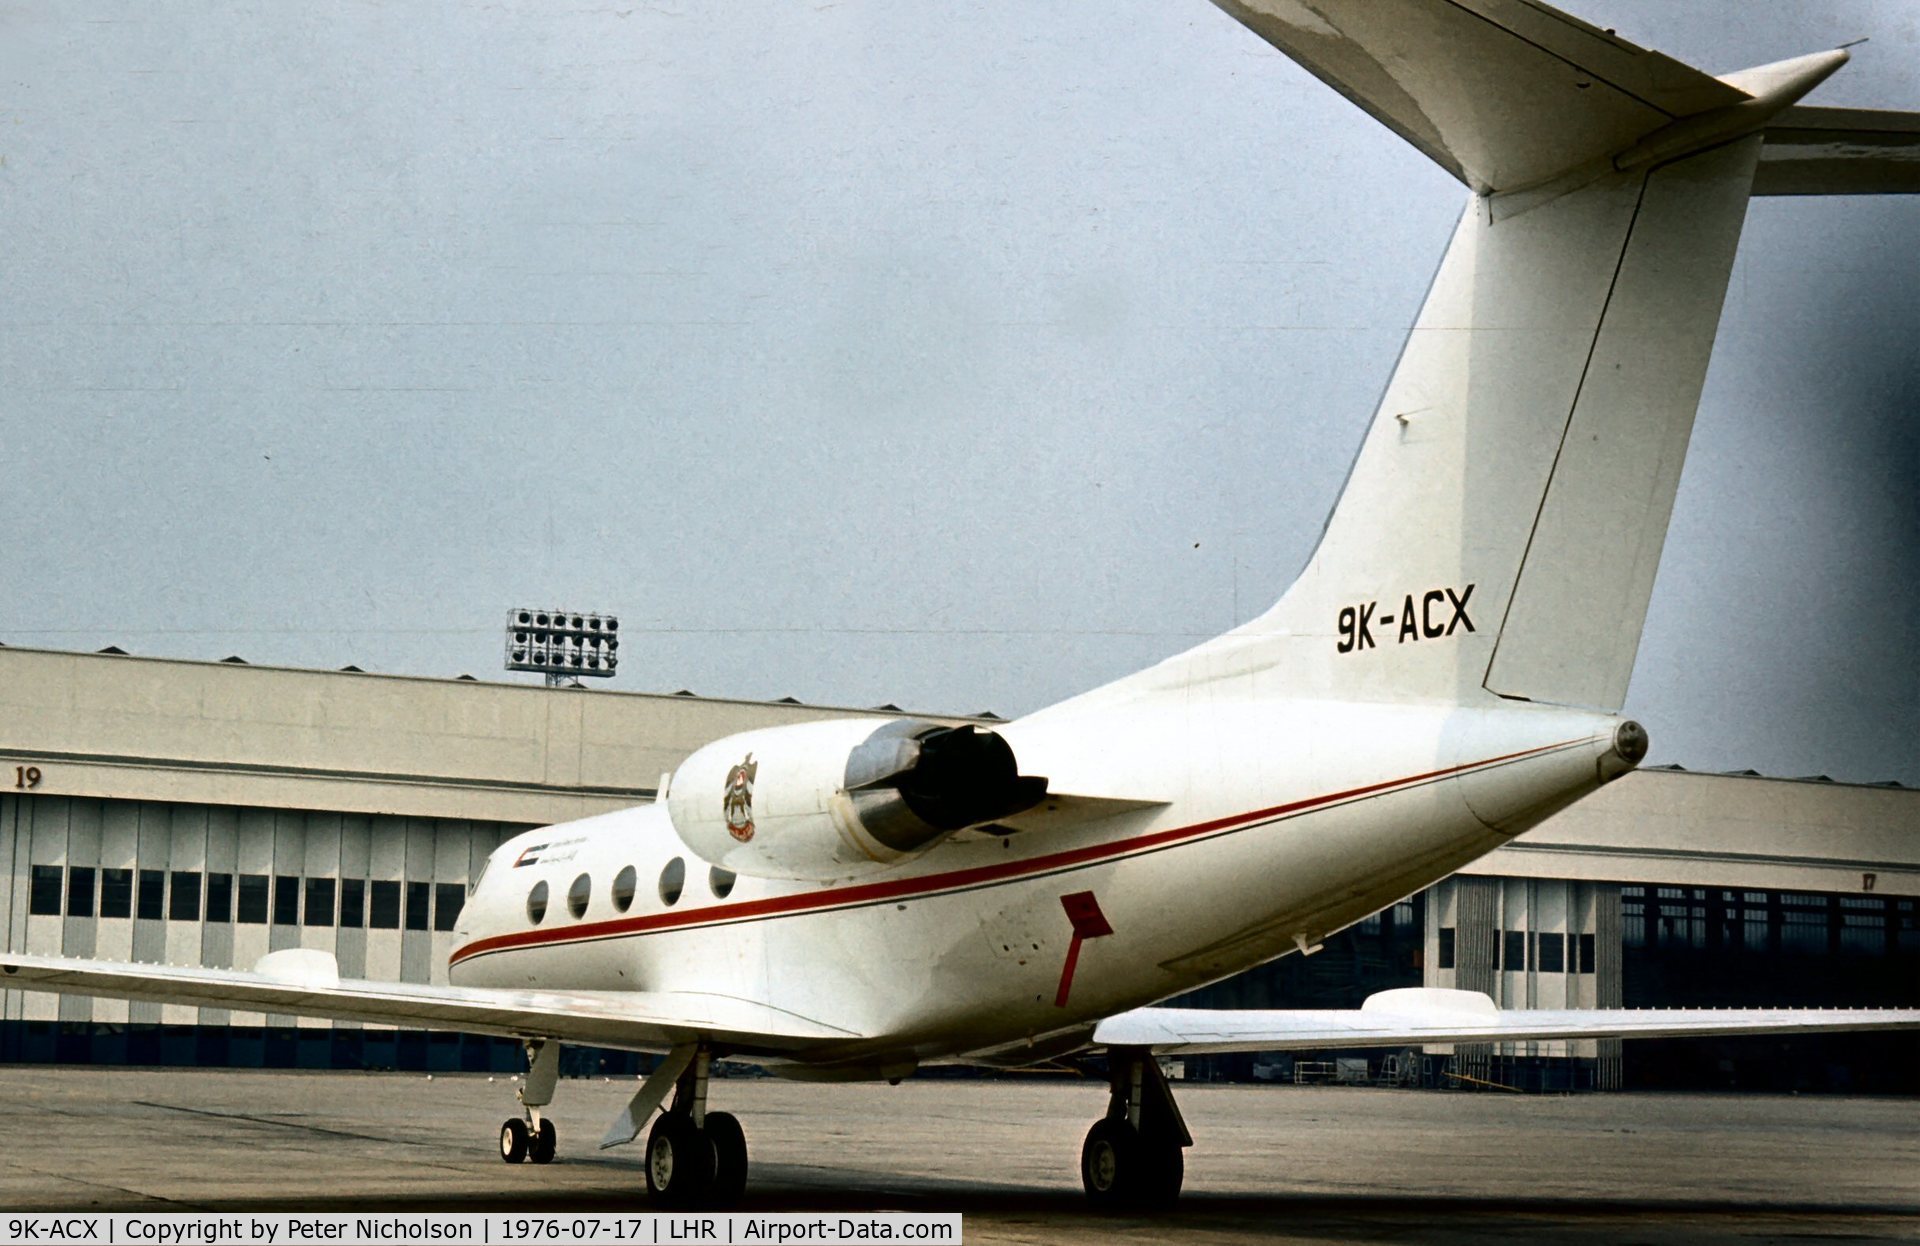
(1502, 523)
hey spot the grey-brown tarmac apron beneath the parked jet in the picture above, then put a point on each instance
(1274, 1164)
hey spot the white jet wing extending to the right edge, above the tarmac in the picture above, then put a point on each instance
(1426, 1015)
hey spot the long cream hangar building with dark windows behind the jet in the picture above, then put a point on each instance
(210, 813)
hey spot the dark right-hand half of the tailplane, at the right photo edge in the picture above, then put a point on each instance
(1840, 151)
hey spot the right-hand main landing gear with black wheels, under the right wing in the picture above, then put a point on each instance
(1134, 1157)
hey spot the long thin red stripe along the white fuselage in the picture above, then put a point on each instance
(953, 880)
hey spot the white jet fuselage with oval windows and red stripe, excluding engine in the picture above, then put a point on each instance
(1287, 823)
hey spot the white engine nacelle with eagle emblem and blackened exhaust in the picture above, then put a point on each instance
(836, 800)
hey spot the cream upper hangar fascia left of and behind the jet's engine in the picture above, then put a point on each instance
(270, 736)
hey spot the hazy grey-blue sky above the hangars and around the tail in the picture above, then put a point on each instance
(959, 358)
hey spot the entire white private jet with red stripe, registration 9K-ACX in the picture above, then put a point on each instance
(859, 898)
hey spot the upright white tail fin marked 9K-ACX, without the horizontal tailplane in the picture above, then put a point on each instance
(1504, 519)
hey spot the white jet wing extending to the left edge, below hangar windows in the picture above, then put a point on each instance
(308, 984)
